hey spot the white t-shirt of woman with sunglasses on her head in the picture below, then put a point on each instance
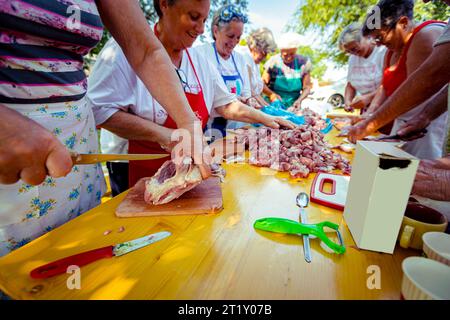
(227, 68)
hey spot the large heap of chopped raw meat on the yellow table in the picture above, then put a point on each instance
(299, 151)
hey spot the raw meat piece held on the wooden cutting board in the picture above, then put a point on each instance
(170, 182)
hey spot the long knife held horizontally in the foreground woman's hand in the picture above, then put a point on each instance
(91, 158)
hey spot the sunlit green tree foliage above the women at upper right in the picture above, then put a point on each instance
(329, 17)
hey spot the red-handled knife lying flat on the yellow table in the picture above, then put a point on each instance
(60, 266)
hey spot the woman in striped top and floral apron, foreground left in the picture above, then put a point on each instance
(44, 111)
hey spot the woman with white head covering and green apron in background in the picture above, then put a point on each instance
(288, 73)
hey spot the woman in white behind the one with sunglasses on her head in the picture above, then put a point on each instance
(260, 42)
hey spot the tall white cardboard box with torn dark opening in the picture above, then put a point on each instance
(378, 193)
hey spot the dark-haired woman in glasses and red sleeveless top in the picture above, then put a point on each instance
(409, 44)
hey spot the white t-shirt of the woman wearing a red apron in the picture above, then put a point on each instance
(114, 86)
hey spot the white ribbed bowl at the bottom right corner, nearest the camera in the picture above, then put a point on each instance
(425, 279)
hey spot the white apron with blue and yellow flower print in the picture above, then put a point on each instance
(27, 212)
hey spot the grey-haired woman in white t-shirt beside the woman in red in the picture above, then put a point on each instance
(365, 67)
